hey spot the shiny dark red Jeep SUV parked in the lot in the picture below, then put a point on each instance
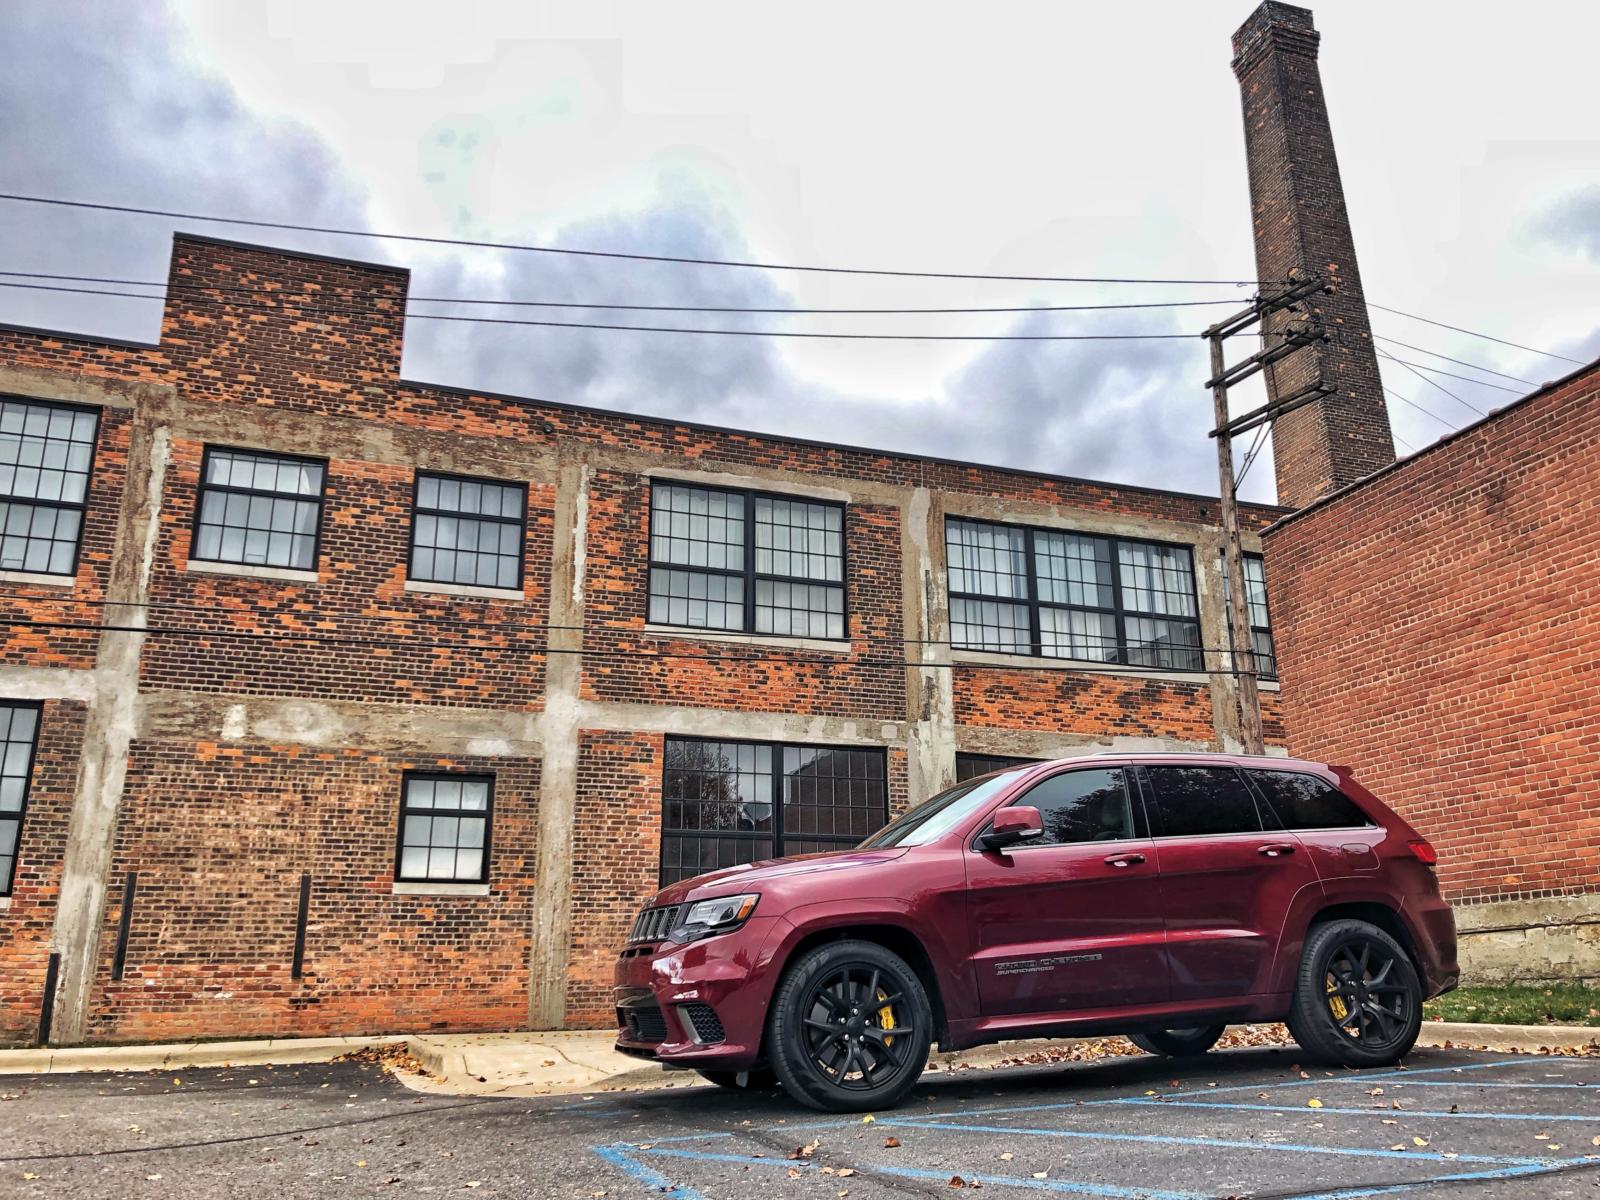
(1153, 895)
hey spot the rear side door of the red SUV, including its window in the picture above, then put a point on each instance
(1228, 879)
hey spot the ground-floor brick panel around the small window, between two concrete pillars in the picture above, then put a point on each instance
(220, 838)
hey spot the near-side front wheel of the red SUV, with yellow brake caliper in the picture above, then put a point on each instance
(830, 1031)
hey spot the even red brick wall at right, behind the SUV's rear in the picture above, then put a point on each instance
(1439, 630)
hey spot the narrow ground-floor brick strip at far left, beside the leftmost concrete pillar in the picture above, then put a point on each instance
(25, 946)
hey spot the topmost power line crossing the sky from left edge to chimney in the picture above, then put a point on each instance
(337, 231)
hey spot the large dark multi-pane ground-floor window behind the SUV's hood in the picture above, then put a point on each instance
(726, 804)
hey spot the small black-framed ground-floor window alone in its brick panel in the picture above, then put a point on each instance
(446, 830)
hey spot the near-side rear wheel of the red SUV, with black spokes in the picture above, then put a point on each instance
(1358, 998)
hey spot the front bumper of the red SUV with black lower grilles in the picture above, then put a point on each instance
(695, 1006)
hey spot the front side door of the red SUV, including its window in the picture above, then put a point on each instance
(1071, 921)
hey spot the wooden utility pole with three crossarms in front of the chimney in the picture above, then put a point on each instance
(1223, 377)
